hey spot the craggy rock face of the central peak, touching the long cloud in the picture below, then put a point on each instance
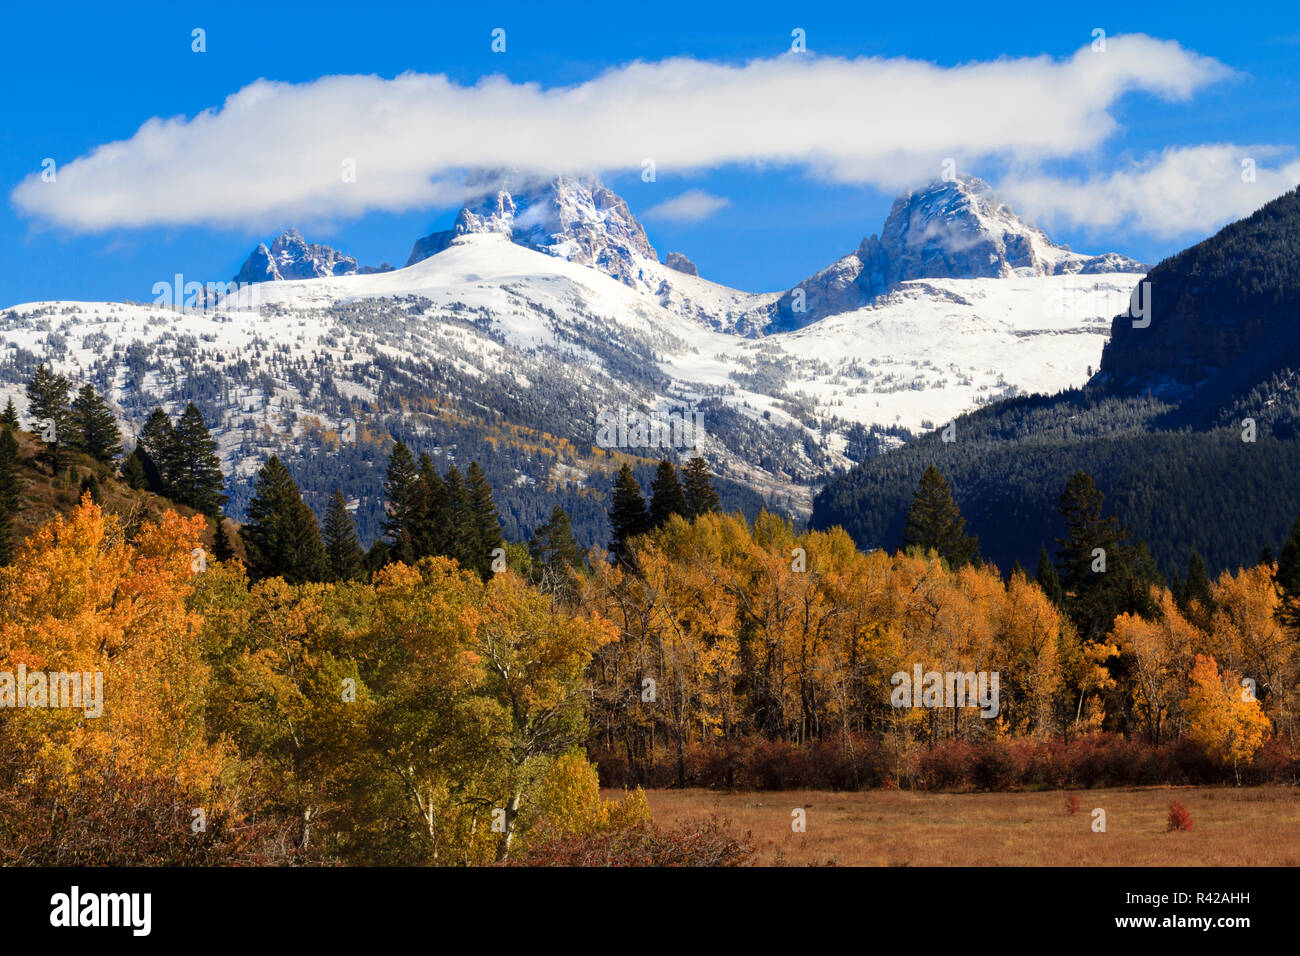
(575, 219)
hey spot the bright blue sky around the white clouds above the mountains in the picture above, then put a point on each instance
(79, 77)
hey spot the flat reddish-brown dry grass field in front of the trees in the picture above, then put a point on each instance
(1230, 827)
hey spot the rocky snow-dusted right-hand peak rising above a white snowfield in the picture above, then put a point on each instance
(951, 230)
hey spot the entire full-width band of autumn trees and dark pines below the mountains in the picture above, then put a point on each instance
(449, 698)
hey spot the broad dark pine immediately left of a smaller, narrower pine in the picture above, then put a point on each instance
(281, 537)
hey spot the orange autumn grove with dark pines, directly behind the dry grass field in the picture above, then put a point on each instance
(736, 634)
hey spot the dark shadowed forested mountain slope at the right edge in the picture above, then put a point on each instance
(1162, 429)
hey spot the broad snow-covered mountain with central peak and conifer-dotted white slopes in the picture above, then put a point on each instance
(545, 314)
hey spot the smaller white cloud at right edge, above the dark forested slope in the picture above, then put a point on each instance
(1184, 191)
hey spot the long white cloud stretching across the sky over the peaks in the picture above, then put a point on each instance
(275, 153)
